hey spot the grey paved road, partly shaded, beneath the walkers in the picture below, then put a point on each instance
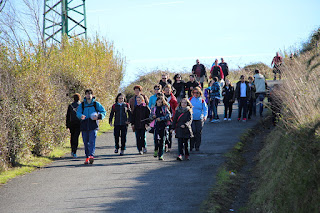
(130, 183)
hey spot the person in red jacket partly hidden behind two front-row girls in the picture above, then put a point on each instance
(173, 104)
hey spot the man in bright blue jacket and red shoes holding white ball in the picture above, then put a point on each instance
(90, 111)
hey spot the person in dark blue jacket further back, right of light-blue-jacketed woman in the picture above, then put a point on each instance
(215, 99)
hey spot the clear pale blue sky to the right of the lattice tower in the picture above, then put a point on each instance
(172, 34)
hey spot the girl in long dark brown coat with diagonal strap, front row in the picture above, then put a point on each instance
(182, 121)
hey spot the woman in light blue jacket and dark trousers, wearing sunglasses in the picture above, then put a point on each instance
(200, 112)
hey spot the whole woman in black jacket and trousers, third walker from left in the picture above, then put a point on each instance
(122, 115)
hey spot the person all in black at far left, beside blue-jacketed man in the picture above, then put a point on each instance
(73, 123)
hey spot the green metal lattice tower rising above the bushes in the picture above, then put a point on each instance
(64, 18)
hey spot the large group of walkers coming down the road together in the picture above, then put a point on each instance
(176, 106)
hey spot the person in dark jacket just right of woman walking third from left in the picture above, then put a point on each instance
(139, 122)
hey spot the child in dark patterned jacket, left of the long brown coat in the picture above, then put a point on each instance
(160, 115)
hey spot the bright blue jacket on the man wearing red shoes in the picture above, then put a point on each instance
(88, 124)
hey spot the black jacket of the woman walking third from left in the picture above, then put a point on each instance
(121, 113)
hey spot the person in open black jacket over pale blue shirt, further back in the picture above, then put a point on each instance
(242, 95)
